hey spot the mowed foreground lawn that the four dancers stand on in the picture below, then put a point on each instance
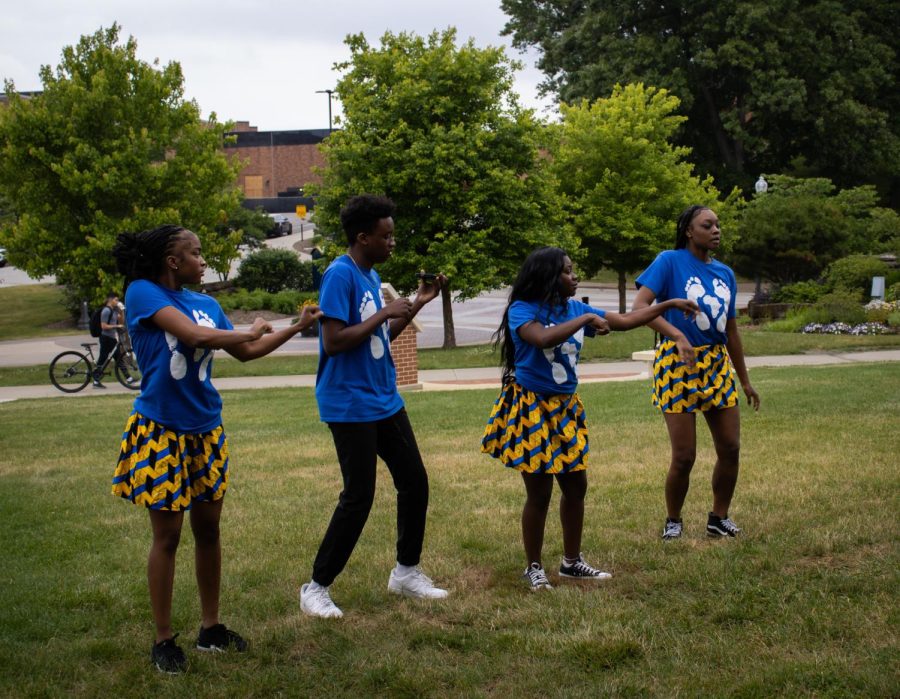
(805, 604)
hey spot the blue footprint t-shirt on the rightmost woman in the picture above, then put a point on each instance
(677, 274)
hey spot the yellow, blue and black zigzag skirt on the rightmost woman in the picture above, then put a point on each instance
(708, 386)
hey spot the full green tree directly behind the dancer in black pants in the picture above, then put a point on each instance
(438, 129)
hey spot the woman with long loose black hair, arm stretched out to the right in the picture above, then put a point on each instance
(537, 425)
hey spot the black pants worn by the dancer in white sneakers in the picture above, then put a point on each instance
(358, 446)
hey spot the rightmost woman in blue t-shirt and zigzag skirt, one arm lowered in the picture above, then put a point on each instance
(695, 364)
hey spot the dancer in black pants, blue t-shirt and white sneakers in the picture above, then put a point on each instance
(356, 389)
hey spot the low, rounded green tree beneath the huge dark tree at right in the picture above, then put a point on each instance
(800, 226)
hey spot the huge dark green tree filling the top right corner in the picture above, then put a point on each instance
(809, 85)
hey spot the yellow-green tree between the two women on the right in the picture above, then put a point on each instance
(621, 181)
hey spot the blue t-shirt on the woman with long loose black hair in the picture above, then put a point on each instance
(548, 371)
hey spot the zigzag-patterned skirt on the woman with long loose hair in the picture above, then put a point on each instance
(537, 434)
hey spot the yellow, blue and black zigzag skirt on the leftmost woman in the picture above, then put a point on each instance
(167, 470)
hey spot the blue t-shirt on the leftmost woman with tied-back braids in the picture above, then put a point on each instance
(176, 386)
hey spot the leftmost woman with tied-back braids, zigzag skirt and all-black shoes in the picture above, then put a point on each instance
(174, 453)
